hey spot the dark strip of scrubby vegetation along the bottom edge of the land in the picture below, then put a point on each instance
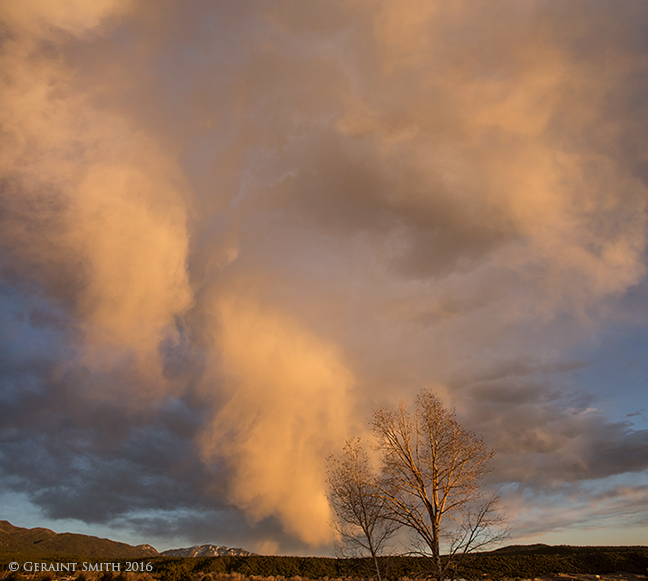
(525, 562)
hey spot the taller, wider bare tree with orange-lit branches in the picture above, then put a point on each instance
(432, 472)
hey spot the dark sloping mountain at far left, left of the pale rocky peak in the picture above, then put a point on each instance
(38, 541)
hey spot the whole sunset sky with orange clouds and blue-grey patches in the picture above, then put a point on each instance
(231, 230)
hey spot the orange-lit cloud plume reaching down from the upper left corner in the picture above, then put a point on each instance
(89, 197)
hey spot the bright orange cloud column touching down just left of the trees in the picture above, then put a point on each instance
(285, 406)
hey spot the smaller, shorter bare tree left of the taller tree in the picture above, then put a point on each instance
(362, 512)
